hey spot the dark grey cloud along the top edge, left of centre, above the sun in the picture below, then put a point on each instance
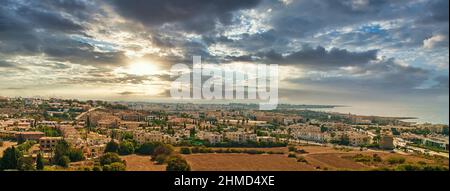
(198, 15)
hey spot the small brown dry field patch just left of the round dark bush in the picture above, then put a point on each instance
(141, 163)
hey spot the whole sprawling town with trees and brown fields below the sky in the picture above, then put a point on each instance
(60, 134)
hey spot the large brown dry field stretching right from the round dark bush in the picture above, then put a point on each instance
(317, 157)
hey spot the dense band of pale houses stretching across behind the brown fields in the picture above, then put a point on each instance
(181, 123)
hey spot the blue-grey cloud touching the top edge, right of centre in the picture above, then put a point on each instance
(303, 17)
